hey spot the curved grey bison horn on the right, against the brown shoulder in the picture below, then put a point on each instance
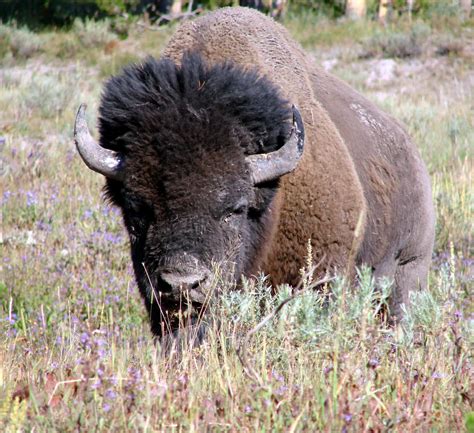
(270, 166)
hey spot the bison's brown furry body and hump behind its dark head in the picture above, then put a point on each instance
(361, 193)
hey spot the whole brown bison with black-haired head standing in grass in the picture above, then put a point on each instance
(234, 148)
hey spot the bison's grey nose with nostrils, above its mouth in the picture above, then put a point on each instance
(190, 285)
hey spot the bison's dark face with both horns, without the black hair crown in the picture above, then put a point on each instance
(190, 212)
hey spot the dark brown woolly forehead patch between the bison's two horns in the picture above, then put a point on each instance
(189, 150)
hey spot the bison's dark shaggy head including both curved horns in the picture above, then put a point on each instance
(192, 155)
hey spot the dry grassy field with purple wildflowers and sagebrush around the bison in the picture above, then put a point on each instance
(75, 350)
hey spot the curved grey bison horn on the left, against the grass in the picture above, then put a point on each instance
(96, 157)
